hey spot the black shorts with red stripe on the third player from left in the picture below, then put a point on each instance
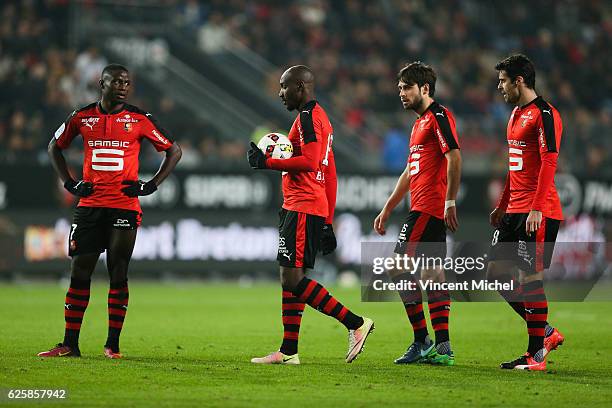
(422, 234)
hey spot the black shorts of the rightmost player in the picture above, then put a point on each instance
(530, 253)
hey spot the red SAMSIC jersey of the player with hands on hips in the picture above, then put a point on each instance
(111, 145)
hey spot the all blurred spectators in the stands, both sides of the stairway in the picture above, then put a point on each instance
(355, 47)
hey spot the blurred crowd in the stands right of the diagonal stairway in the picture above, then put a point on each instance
(356, 48)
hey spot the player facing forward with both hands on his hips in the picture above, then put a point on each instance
(108, 214)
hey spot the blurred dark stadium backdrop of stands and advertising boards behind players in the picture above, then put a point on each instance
(209, 71)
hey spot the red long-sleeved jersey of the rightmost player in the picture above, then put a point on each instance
(534, 137)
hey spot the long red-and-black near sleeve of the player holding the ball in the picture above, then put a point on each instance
(312, 136)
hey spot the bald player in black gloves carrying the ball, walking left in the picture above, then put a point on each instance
(309, 190)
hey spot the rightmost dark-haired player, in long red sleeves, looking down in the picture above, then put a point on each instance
(528, 214)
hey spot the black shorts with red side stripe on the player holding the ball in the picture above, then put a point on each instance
(299, 239)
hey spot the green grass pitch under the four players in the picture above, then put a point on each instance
(190, 345)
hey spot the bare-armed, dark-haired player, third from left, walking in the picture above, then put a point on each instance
(432, 177)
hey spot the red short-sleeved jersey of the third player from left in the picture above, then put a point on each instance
(433, 134)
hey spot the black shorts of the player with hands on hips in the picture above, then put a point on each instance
(91, 227)
